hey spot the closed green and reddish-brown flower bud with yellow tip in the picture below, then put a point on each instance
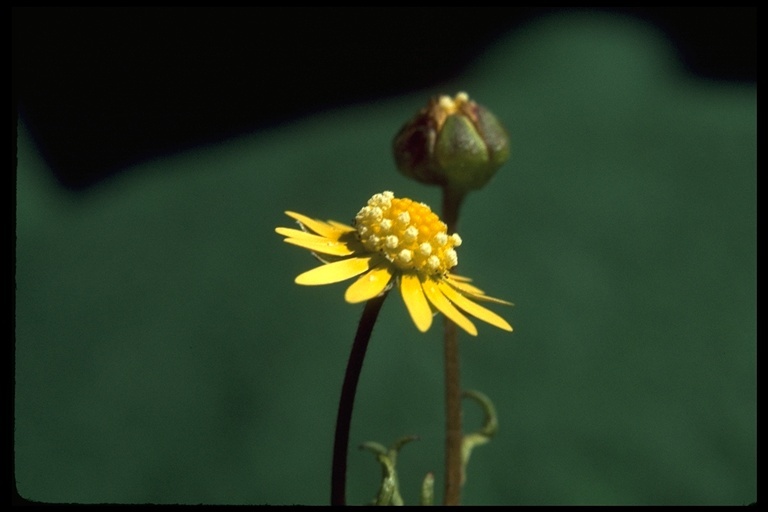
(452, 142)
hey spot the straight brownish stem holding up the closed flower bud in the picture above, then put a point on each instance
(451, 203)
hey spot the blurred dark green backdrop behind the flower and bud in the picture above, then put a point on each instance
(164, 355)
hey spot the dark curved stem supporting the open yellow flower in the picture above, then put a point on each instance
(347, 399)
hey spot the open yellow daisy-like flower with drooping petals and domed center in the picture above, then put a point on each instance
(395, 241)
